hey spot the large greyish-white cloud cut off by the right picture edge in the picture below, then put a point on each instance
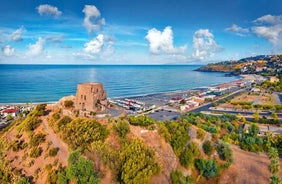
(270, 28)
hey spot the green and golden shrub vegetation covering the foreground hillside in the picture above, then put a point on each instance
(201, 144)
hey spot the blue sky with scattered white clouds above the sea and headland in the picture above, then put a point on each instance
(138, 32)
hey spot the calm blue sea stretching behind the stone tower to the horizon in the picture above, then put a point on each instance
(48, 83)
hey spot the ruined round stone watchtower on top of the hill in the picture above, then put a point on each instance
(91, 97)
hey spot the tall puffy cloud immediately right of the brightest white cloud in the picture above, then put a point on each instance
(204, 44)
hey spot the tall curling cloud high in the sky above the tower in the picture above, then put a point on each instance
(92, 20)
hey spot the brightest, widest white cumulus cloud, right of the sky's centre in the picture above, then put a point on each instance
(162, 42)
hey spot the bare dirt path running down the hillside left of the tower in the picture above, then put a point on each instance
(63, 152)
